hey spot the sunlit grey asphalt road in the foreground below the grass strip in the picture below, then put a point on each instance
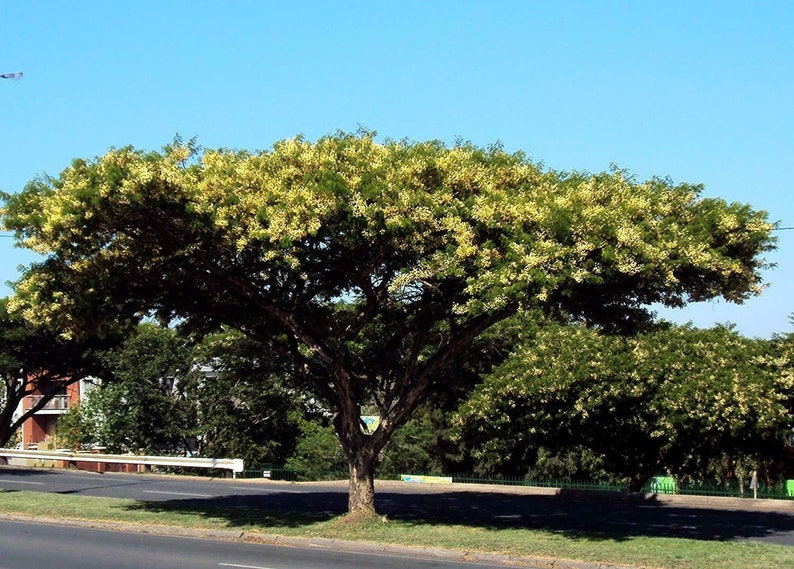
(32, 545)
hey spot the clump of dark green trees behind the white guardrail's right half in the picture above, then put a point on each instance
(163, 394)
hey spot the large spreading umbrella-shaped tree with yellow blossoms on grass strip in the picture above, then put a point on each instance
(370, 266)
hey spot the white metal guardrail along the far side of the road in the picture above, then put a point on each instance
(233, 464)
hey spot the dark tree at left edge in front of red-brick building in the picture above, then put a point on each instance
(34, 359)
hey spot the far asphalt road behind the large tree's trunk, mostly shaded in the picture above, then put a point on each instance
(597, 515)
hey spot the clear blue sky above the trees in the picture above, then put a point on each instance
(698, 91)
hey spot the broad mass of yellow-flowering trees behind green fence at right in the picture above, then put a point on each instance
(685, 400)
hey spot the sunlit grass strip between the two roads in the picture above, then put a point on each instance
(636, 551)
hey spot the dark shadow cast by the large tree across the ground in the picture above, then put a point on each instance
(597, 516)
